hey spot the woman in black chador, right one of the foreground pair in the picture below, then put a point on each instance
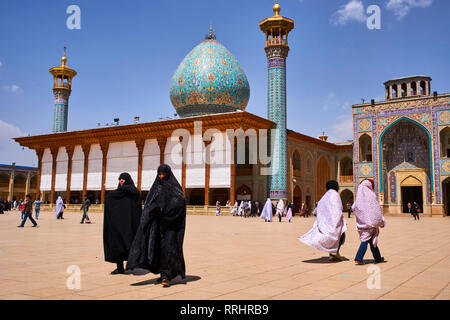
(158, 245)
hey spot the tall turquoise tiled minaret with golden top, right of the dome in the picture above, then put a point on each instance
(277, 29)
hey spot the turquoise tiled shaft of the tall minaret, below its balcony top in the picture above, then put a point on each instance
(276, 110)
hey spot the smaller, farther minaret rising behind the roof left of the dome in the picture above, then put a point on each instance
(62, 87)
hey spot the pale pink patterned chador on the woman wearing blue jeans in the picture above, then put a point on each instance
(368, 213)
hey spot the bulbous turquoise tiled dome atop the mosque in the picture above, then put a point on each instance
(209, 80)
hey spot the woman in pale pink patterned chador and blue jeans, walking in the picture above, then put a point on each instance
(369, 218)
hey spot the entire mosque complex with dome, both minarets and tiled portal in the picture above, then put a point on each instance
(220, 152)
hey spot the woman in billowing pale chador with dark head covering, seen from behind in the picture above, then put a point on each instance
(328, 232)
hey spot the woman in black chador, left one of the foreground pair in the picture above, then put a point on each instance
(121, 220)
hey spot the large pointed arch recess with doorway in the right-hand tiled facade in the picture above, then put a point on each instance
(406, 154)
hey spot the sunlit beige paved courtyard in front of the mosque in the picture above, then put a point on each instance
(227, 258)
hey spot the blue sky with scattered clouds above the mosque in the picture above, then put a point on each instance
(127, 51)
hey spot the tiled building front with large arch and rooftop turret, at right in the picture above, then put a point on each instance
(403, 143)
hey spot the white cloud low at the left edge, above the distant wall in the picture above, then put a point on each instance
(11, 151)
